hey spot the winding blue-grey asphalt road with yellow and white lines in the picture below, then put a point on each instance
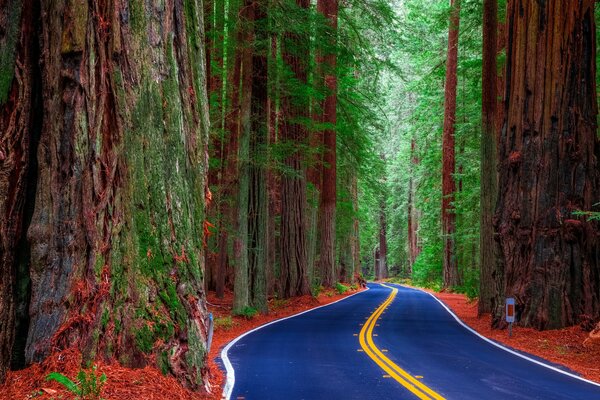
(386, 343)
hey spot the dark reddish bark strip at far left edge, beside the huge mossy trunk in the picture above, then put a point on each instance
(19, 134)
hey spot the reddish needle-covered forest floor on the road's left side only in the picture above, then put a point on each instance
(149, 383)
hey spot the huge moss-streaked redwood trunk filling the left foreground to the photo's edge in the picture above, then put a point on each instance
(115, 244)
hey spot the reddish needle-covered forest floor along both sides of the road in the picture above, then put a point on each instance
(564, 346)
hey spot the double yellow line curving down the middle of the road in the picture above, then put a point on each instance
(400, 375)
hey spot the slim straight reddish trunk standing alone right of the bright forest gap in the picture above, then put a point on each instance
(450, 267)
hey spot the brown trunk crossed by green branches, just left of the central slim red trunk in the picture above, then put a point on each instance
(294, 268)
